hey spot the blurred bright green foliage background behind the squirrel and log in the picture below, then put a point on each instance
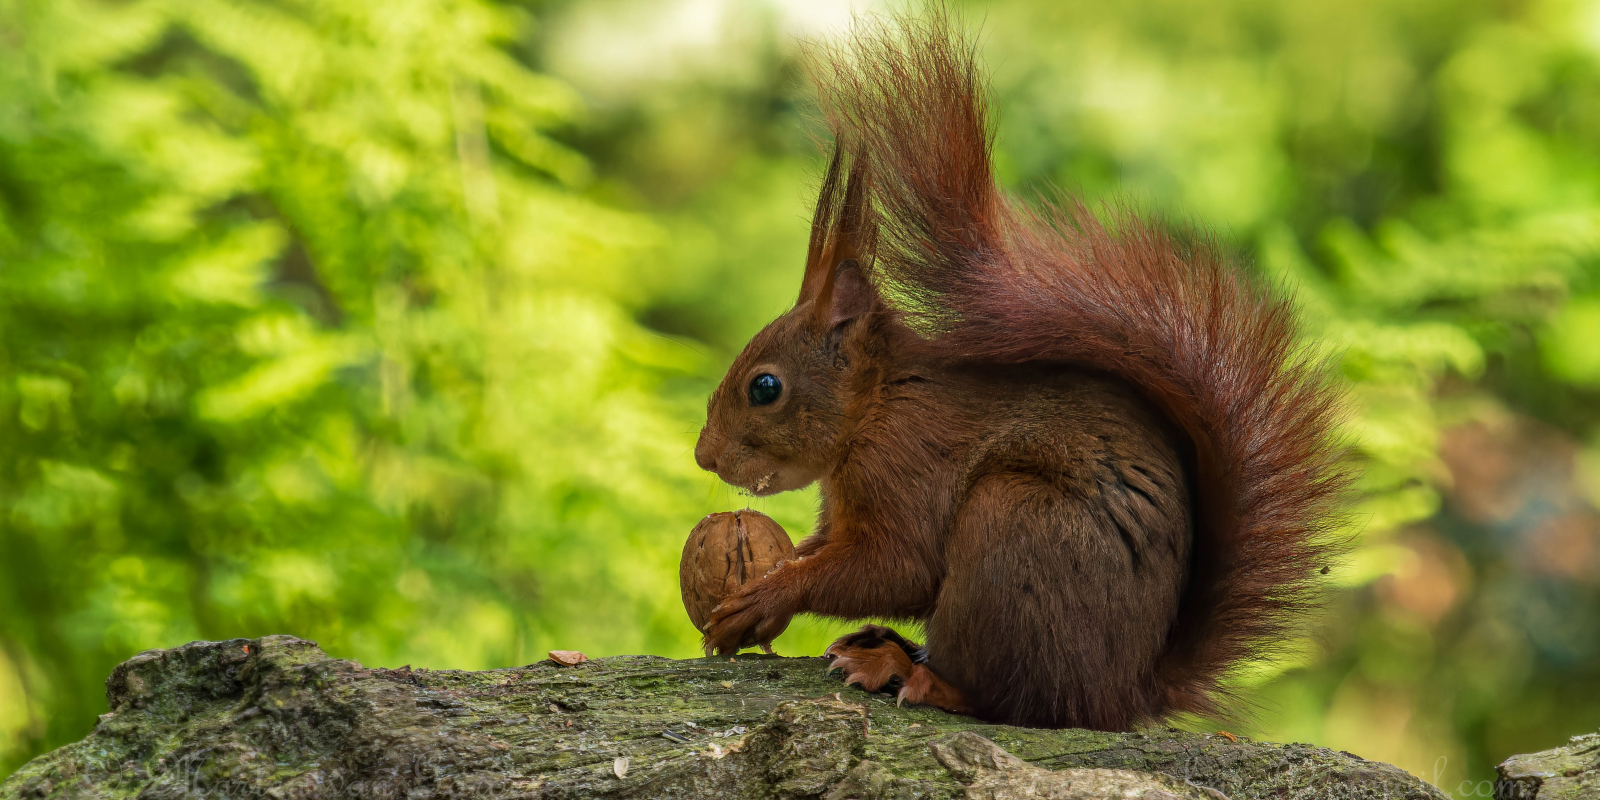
(390, 324)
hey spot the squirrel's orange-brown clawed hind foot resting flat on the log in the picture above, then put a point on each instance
(878, 658)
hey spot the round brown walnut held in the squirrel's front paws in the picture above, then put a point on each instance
(724, 553)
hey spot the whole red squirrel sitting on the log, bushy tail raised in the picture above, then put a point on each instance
(1086, 455)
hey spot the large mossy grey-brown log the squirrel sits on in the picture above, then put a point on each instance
(276, 718)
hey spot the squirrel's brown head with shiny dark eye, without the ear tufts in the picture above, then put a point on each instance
(775, 422)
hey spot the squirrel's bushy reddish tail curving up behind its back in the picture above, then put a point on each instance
(993, 282)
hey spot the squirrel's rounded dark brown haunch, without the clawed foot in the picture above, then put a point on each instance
(1057, 601)
